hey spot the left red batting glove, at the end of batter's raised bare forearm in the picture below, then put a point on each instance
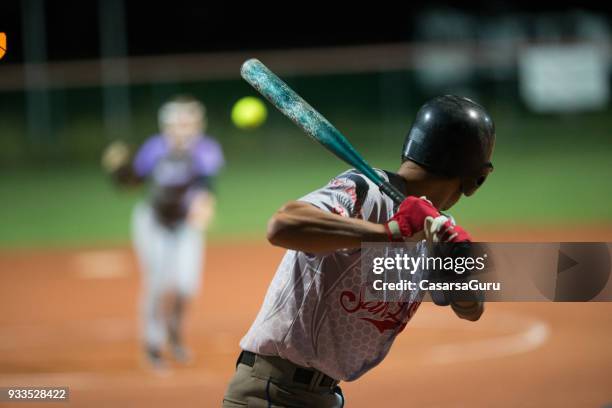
(410, 218)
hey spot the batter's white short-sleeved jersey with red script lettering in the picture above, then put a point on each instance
(315, 313)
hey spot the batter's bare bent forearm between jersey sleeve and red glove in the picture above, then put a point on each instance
(303, 227)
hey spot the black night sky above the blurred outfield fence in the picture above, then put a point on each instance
(193, 26)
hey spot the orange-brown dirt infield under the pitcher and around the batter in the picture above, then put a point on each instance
(69, 318)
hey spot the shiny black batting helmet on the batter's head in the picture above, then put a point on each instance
(453, 136)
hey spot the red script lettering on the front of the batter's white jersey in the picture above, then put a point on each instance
(383, 315)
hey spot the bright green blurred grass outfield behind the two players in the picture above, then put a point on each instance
(62, 206)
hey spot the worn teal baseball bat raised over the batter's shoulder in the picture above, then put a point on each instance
(312, 122)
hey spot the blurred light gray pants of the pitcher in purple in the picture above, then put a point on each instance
(171, 264)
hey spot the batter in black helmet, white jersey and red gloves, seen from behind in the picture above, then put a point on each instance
(315, 328)
